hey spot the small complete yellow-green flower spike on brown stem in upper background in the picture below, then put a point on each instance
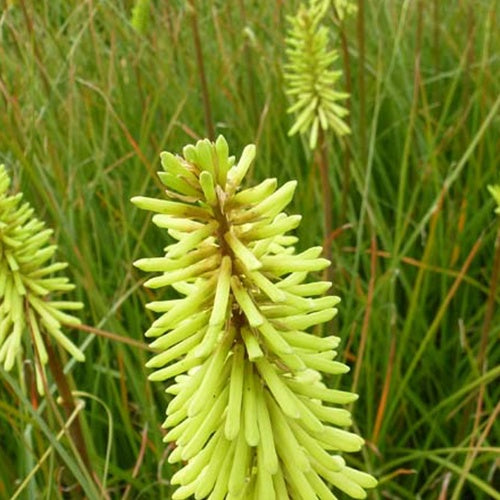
(310, 80)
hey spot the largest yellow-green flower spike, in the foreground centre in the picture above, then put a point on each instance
(251, 415)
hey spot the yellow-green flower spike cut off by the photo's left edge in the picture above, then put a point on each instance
(27, 311)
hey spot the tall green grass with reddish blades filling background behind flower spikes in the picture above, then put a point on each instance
(87, 104)
